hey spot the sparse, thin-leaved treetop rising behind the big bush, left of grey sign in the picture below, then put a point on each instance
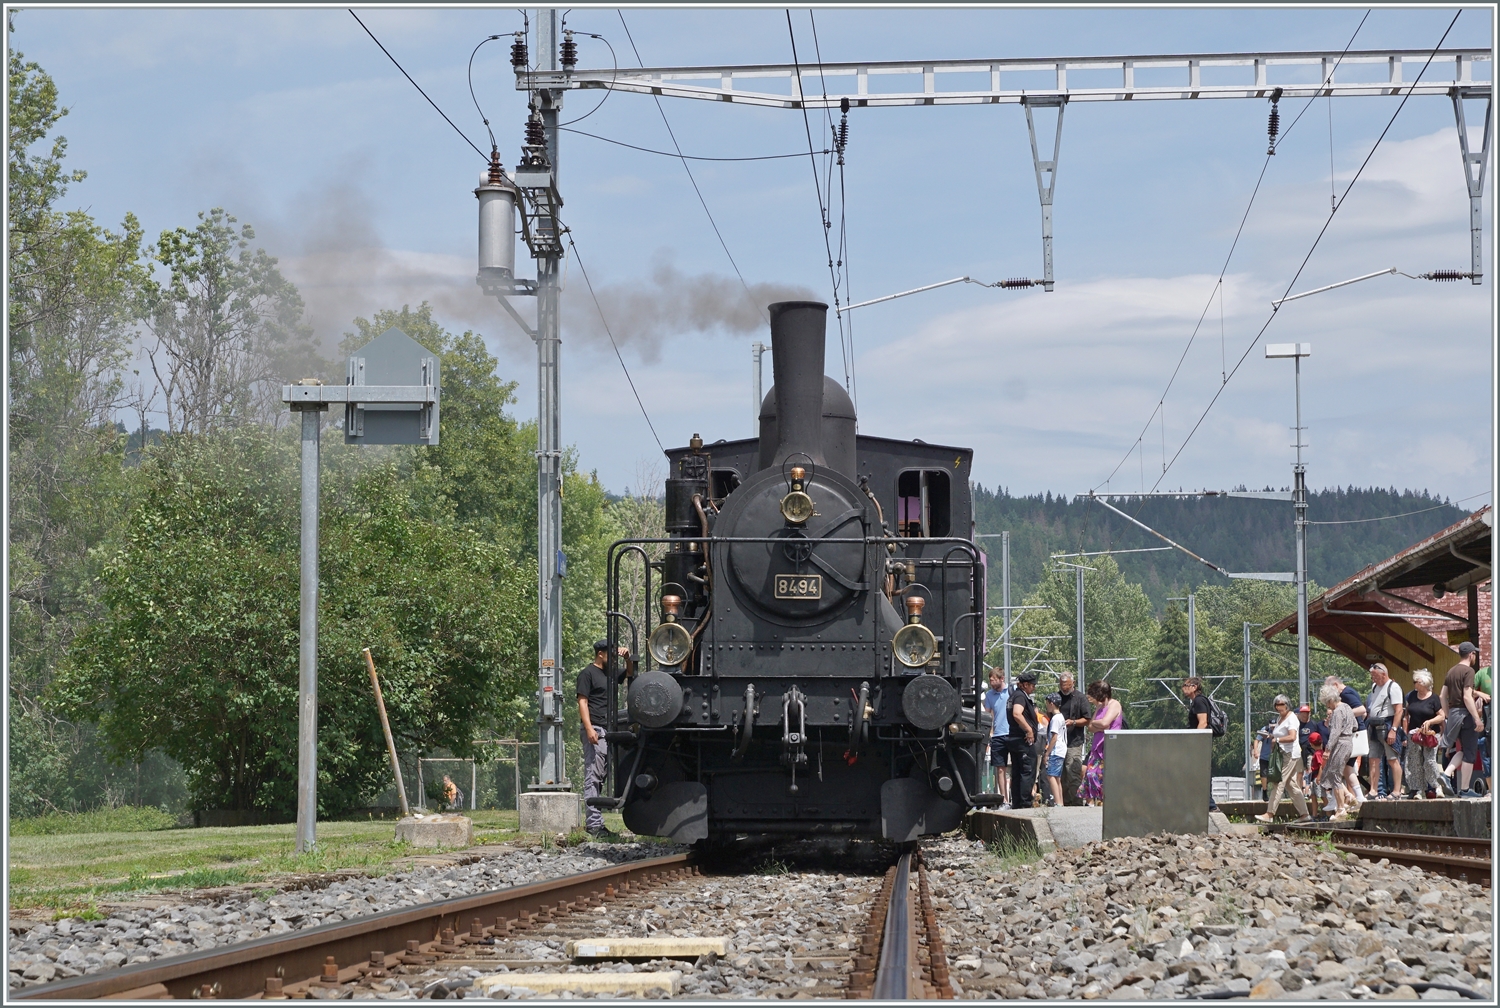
(227, 328)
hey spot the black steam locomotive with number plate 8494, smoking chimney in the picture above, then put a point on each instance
(818, 631)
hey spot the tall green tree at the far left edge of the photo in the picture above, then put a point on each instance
(74, 295)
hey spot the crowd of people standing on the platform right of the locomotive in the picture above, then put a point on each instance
(1426, 743)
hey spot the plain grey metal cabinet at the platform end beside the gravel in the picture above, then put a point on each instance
(1157, 781)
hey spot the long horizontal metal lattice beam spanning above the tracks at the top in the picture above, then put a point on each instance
(1309, 74)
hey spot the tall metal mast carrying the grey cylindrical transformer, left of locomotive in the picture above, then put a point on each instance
(551, 764)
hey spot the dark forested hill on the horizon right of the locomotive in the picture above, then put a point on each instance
(1238, 535)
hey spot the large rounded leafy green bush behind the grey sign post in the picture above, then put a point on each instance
(200, 643)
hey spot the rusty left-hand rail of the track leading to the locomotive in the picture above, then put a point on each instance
(242, 971)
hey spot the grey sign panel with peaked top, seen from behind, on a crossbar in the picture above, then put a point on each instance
(394, 359)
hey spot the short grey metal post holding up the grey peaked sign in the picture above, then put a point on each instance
(308, 650)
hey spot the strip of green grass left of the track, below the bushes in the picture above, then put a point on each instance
(71, 872)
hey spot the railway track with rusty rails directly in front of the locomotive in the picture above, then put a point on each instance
(517, 937)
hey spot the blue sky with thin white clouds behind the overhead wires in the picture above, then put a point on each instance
(296, 122)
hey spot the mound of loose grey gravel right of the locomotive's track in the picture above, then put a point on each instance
(1174, 917)
